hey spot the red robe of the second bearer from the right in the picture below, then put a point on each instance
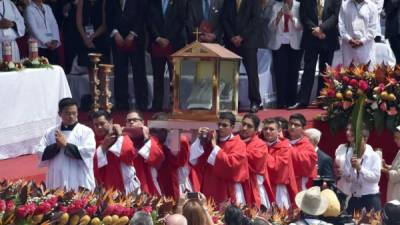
(280, 167)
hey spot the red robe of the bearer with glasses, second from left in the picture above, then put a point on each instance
(143, 167)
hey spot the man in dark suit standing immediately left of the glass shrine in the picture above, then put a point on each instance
(166, 23)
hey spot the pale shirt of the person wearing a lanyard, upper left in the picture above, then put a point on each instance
(42, 24)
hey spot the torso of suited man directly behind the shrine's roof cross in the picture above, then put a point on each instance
(206, 16)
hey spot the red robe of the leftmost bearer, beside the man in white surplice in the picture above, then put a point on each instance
(110, 175)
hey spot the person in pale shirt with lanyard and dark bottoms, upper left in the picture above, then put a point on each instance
(43, 27)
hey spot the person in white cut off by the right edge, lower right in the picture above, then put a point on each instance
(393, 171)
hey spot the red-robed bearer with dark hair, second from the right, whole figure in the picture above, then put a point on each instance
(280, 166)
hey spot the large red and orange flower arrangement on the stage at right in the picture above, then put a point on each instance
(380, 91)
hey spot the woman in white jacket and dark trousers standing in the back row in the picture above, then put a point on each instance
(284, 41)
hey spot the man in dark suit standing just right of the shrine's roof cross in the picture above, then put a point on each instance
(241, 24)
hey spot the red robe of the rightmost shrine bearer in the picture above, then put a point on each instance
(304, 161)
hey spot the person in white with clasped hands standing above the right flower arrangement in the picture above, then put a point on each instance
(357, 27)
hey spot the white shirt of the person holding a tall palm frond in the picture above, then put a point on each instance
(366, 181)
